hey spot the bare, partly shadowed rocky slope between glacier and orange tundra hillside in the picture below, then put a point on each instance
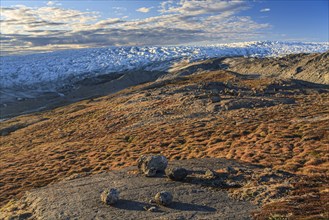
(306, 67)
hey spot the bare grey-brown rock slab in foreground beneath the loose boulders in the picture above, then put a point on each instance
(80, 198)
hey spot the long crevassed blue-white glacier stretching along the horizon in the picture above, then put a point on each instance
(50, 71)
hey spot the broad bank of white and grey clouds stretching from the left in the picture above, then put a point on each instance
(28, 29)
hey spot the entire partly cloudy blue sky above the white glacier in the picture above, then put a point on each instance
(32, 26)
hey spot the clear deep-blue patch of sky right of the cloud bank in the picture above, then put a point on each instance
(304, 20)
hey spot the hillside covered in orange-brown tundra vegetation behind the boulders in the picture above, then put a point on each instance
(197, 110)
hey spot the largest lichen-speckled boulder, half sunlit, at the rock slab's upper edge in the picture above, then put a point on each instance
(150, 165)
